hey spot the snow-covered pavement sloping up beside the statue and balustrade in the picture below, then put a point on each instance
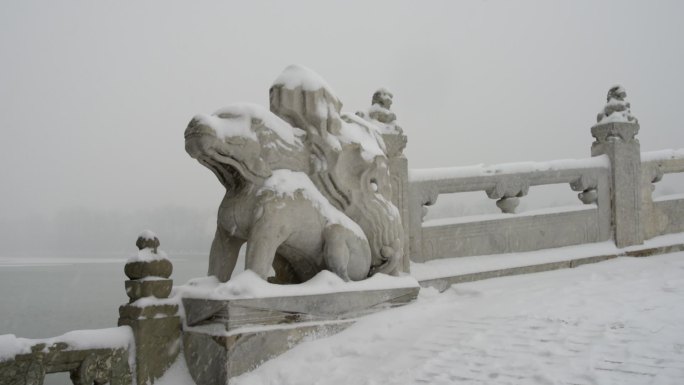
(616, 322)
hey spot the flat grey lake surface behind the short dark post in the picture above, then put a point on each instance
(46, 297)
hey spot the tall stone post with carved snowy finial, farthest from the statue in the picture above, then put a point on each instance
(615, 136)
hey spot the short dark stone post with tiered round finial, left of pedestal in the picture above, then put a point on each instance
(153, 318)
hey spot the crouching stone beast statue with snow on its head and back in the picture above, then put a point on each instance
(307, 187)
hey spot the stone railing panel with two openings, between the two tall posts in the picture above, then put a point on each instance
(505, 233)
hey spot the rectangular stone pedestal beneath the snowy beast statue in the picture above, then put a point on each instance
(226, 338)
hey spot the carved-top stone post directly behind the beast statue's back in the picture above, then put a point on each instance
(395, 141)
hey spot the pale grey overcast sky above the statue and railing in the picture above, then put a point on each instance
(95, 95)
